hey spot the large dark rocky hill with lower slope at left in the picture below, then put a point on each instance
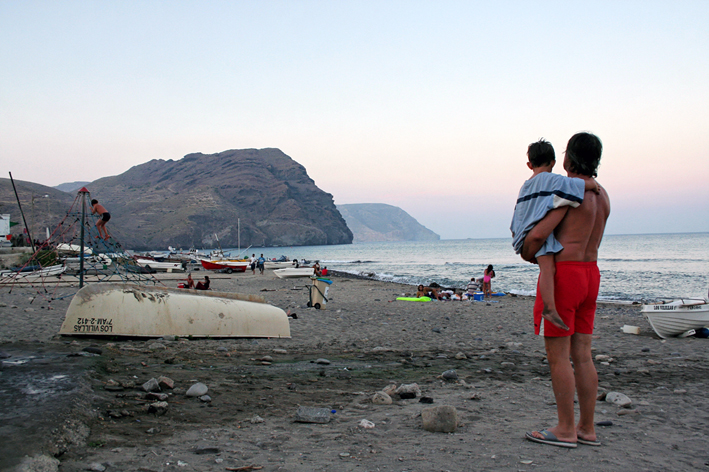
(184, 203)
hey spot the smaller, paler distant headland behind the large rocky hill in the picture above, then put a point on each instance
(371, 222)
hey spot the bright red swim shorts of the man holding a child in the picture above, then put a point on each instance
(575, 292)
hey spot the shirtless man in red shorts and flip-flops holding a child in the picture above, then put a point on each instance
(576, 283)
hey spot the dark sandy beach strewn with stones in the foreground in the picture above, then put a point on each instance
(65, 409)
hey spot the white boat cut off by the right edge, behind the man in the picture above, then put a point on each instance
(677, 317)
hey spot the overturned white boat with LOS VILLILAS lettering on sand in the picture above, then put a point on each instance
(131, 310)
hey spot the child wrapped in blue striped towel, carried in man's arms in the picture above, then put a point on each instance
(540, 194)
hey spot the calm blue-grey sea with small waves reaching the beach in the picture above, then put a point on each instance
(634, 268)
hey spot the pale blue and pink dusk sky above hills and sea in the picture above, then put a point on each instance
(428, 106)
